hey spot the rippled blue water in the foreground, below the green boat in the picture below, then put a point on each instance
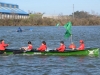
(49, 65)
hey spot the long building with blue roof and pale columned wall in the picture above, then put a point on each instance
(11, 11)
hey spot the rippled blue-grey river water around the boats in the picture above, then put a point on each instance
(49, 65)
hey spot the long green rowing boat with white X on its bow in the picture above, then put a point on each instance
(88, 51)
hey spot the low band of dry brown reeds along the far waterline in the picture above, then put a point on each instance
(49, 22)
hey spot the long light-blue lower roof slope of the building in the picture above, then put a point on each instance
(8, 10)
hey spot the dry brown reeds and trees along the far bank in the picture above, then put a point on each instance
(80, 18)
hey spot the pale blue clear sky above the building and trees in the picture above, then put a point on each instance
(57, 7)
